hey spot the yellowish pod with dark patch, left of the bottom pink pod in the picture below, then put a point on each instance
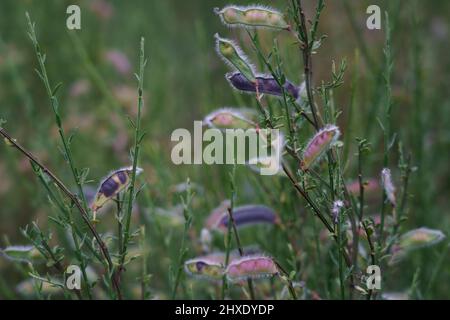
(209, 267)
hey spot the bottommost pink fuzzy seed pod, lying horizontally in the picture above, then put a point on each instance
(251, 267)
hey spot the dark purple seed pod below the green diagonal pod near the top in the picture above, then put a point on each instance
(266, 84)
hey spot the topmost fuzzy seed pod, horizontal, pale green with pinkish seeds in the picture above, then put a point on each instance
(252, 16)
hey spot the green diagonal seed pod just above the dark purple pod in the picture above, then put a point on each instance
(234, 57)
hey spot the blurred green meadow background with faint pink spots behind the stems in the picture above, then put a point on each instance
(184, 81)
